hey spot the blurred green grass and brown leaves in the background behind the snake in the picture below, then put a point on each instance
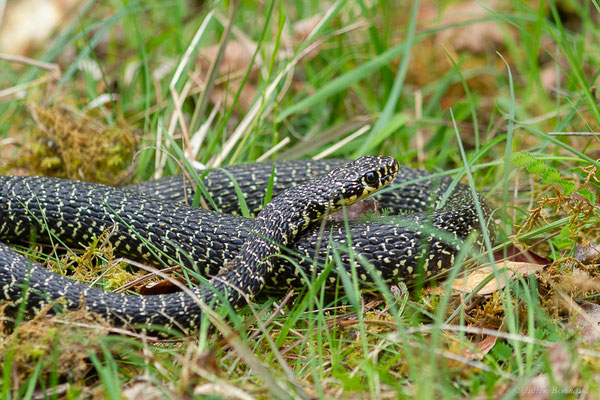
(86, 85)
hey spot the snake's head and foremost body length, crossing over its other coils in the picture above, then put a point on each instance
(274, 227)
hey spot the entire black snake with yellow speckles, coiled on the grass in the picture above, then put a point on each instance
(150, 222)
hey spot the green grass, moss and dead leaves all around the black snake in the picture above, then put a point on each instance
(500, 96)
